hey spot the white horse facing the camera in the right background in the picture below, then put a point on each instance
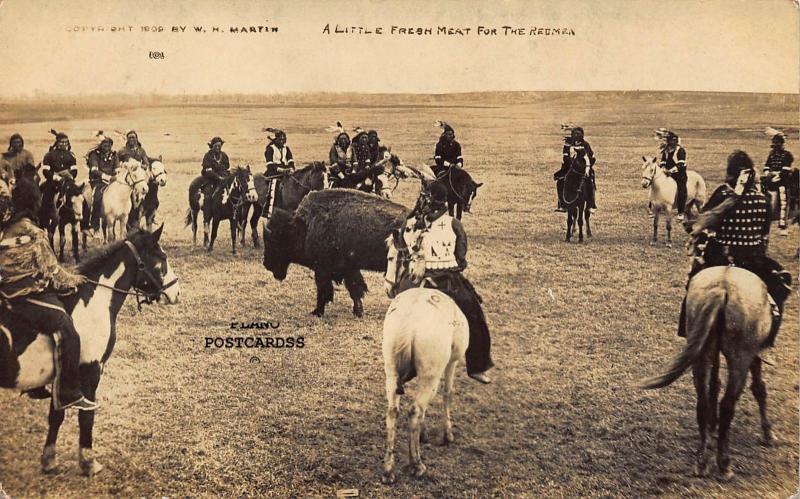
(663, 190)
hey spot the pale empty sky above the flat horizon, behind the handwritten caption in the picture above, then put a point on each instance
(715, 45)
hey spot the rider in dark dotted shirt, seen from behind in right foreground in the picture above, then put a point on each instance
(736, 221)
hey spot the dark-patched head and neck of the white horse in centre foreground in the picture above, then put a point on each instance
(405, 260)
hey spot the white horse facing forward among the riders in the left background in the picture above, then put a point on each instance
(125, 192)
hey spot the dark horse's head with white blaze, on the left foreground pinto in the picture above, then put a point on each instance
(154, 276)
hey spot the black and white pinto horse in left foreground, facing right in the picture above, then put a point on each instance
(26, 357)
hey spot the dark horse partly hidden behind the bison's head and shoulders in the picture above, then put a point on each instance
(293, 188)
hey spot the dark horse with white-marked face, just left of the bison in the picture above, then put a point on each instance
(225, 203)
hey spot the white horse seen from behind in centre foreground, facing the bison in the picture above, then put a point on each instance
(425, 334)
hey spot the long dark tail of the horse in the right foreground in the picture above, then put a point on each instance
(697, 334)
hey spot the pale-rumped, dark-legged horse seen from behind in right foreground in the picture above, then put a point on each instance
(728, 312)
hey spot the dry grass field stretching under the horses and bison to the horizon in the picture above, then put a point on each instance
(574, 326)
